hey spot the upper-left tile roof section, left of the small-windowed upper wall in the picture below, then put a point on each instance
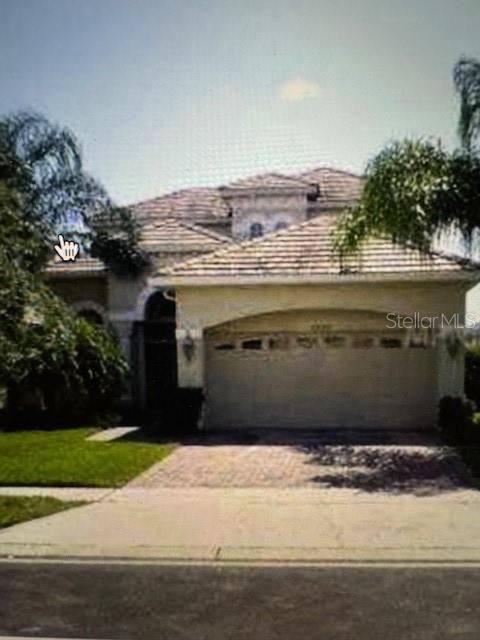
(190, 204)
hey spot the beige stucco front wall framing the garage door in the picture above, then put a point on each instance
(201, 308)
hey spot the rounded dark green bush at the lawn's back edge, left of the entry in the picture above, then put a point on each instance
(57, 368)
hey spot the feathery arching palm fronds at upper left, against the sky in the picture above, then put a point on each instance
(42, 163)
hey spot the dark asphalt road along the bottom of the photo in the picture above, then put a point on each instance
(158, 602)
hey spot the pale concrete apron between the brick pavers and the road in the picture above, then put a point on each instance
(303, 525)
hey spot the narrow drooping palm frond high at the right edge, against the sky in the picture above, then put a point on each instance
(466, 77)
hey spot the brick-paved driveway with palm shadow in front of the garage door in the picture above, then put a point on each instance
(371, 462)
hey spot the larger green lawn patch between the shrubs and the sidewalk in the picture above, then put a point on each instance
(65, 458)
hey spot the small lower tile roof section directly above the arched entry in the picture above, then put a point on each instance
(166, 233)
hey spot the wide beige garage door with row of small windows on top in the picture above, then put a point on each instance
(347, 381)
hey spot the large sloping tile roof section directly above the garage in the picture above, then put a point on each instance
(307, 250)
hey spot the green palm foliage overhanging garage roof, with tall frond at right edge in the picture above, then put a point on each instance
(415, 191)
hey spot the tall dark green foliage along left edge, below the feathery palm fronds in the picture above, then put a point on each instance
(51, 361)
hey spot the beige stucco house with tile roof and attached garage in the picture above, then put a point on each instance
(248, 302)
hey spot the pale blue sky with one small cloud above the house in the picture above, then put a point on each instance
(175, 93)
